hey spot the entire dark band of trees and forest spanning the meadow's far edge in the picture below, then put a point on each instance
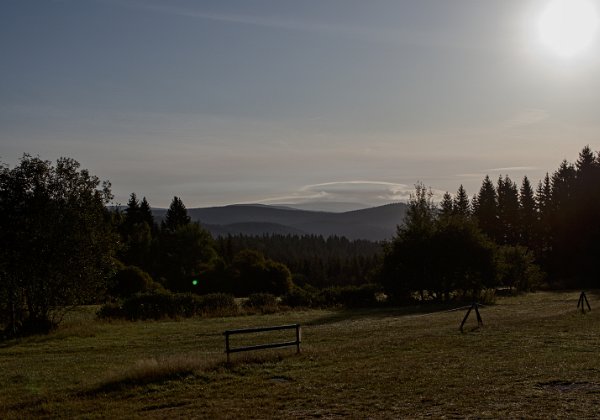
(63, 245)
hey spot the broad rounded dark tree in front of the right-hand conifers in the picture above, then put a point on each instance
(436, 254)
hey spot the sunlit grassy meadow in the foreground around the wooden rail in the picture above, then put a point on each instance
(535, 356)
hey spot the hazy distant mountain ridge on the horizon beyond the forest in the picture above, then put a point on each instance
(376, 223)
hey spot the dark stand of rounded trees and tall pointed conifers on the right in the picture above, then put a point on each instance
(506, 235)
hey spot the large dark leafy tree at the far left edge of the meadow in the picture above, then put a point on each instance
(56, 239)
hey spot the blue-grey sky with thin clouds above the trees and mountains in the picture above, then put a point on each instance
(286, 101)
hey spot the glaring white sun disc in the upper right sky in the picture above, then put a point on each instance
(568, 27)
